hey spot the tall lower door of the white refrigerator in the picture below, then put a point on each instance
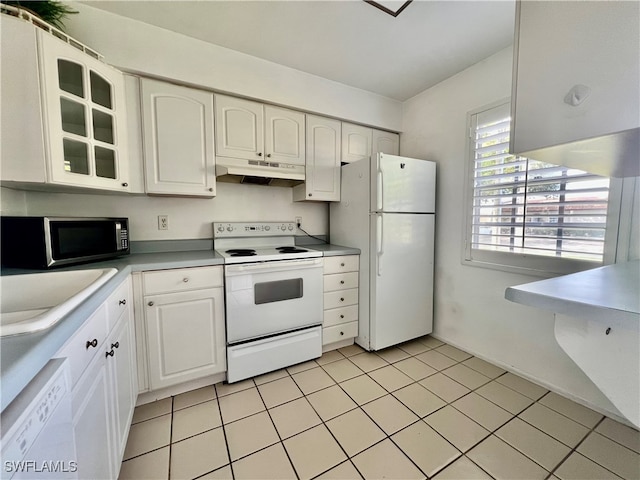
(401, 278)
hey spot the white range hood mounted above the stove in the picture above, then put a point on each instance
(258, 172)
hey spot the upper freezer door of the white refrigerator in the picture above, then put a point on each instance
(402, 184)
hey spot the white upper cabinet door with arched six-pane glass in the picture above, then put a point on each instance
(84, 115)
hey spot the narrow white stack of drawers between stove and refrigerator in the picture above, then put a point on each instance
(340, 323)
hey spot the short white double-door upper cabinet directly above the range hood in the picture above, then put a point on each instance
(253, 131)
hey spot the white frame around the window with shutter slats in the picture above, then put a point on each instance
(524, 263)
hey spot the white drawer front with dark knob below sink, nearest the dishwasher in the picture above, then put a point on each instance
(86, 343)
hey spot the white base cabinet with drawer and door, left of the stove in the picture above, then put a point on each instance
(184, 325)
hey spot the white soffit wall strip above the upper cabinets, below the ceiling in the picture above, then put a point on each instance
(139, 47)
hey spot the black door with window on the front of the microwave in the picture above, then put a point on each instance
(71, 239)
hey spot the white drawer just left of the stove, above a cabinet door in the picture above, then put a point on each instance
(181, 279)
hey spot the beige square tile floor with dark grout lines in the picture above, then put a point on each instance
(421, 410)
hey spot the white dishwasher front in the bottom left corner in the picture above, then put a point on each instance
(37, 429)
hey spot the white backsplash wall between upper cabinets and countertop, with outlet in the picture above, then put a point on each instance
(189, 218)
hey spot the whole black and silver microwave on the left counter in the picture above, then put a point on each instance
(45, 242)
